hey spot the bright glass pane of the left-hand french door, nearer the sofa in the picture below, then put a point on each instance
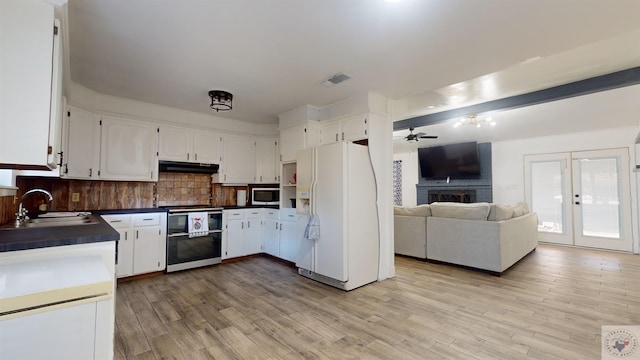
(546, 195)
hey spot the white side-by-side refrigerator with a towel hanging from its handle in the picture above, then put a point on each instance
(336, 183)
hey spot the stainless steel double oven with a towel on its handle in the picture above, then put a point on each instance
(184, 252)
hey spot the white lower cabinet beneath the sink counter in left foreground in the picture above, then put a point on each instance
(58, 302)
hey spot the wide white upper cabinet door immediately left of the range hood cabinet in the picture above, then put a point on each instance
(128, 150)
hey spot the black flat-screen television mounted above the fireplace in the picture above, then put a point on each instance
(455, 161)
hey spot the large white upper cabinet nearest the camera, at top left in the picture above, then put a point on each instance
(29, 93)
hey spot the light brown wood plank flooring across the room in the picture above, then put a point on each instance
(551, 305)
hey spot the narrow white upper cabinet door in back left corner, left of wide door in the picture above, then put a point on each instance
(81, 151)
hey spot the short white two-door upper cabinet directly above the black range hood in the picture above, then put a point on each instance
(189, 145)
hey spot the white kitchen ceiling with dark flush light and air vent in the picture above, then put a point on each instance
(273, 54)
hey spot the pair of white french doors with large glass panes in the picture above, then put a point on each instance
(581, 198)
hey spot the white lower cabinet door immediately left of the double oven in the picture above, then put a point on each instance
(147, 249)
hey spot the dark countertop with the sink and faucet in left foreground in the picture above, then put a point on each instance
(34, 238)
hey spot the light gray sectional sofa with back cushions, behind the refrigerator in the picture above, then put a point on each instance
(485, 236)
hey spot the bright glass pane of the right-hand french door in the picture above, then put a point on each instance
(600, 198)
